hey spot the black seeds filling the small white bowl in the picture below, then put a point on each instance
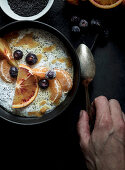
(27, 8)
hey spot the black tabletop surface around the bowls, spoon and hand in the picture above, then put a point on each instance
(55, 144)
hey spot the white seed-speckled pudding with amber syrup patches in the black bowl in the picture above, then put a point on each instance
(51, 53)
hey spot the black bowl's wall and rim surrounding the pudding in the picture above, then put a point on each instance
(59, 109)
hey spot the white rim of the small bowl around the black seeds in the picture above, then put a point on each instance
(4, 4)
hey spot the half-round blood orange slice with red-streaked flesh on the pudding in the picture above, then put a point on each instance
(26, 87)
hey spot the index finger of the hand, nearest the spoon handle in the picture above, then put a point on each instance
(103, 115)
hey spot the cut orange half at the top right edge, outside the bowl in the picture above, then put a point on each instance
(106, 4)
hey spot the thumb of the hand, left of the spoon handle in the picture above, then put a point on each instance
(84, 129)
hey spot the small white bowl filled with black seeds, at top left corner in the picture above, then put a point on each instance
(26, 9)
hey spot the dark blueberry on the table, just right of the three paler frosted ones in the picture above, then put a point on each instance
(96, 25)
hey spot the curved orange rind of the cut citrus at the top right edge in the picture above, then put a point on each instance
(106, 6)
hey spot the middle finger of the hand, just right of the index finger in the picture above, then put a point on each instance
(116, 113)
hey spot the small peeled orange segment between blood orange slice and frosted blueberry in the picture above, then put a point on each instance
(40, 72)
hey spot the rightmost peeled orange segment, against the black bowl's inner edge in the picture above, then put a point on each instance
(65, 79)
